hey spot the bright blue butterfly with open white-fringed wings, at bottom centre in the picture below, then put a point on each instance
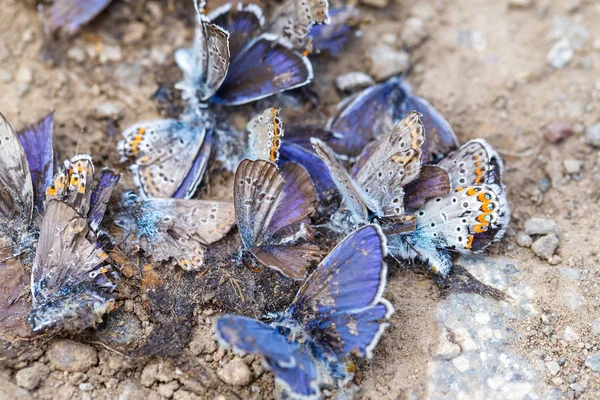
(338, 311)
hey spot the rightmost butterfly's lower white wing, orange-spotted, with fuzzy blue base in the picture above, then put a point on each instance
(466, 221)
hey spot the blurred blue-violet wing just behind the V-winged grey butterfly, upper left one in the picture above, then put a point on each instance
(366, 116)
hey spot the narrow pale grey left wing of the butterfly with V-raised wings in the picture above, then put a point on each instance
(360, 204)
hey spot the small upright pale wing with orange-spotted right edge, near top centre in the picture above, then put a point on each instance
(265, 131)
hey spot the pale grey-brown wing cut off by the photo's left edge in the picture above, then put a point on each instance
(16, 188)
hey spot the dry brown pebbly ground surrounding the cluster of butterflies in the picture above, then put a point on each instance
(521, 74)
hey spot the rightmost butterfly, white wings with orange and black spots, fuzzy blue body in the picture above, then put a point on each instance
(466, 220)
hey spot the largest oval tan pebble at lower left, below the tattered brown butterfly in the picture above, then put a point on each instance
(67, 355)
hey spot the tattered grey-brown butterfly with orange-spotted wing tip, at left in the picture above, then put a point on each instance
(71, 282)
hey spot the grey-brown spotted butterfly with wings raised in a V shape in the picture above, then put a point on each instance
(375, 191)
